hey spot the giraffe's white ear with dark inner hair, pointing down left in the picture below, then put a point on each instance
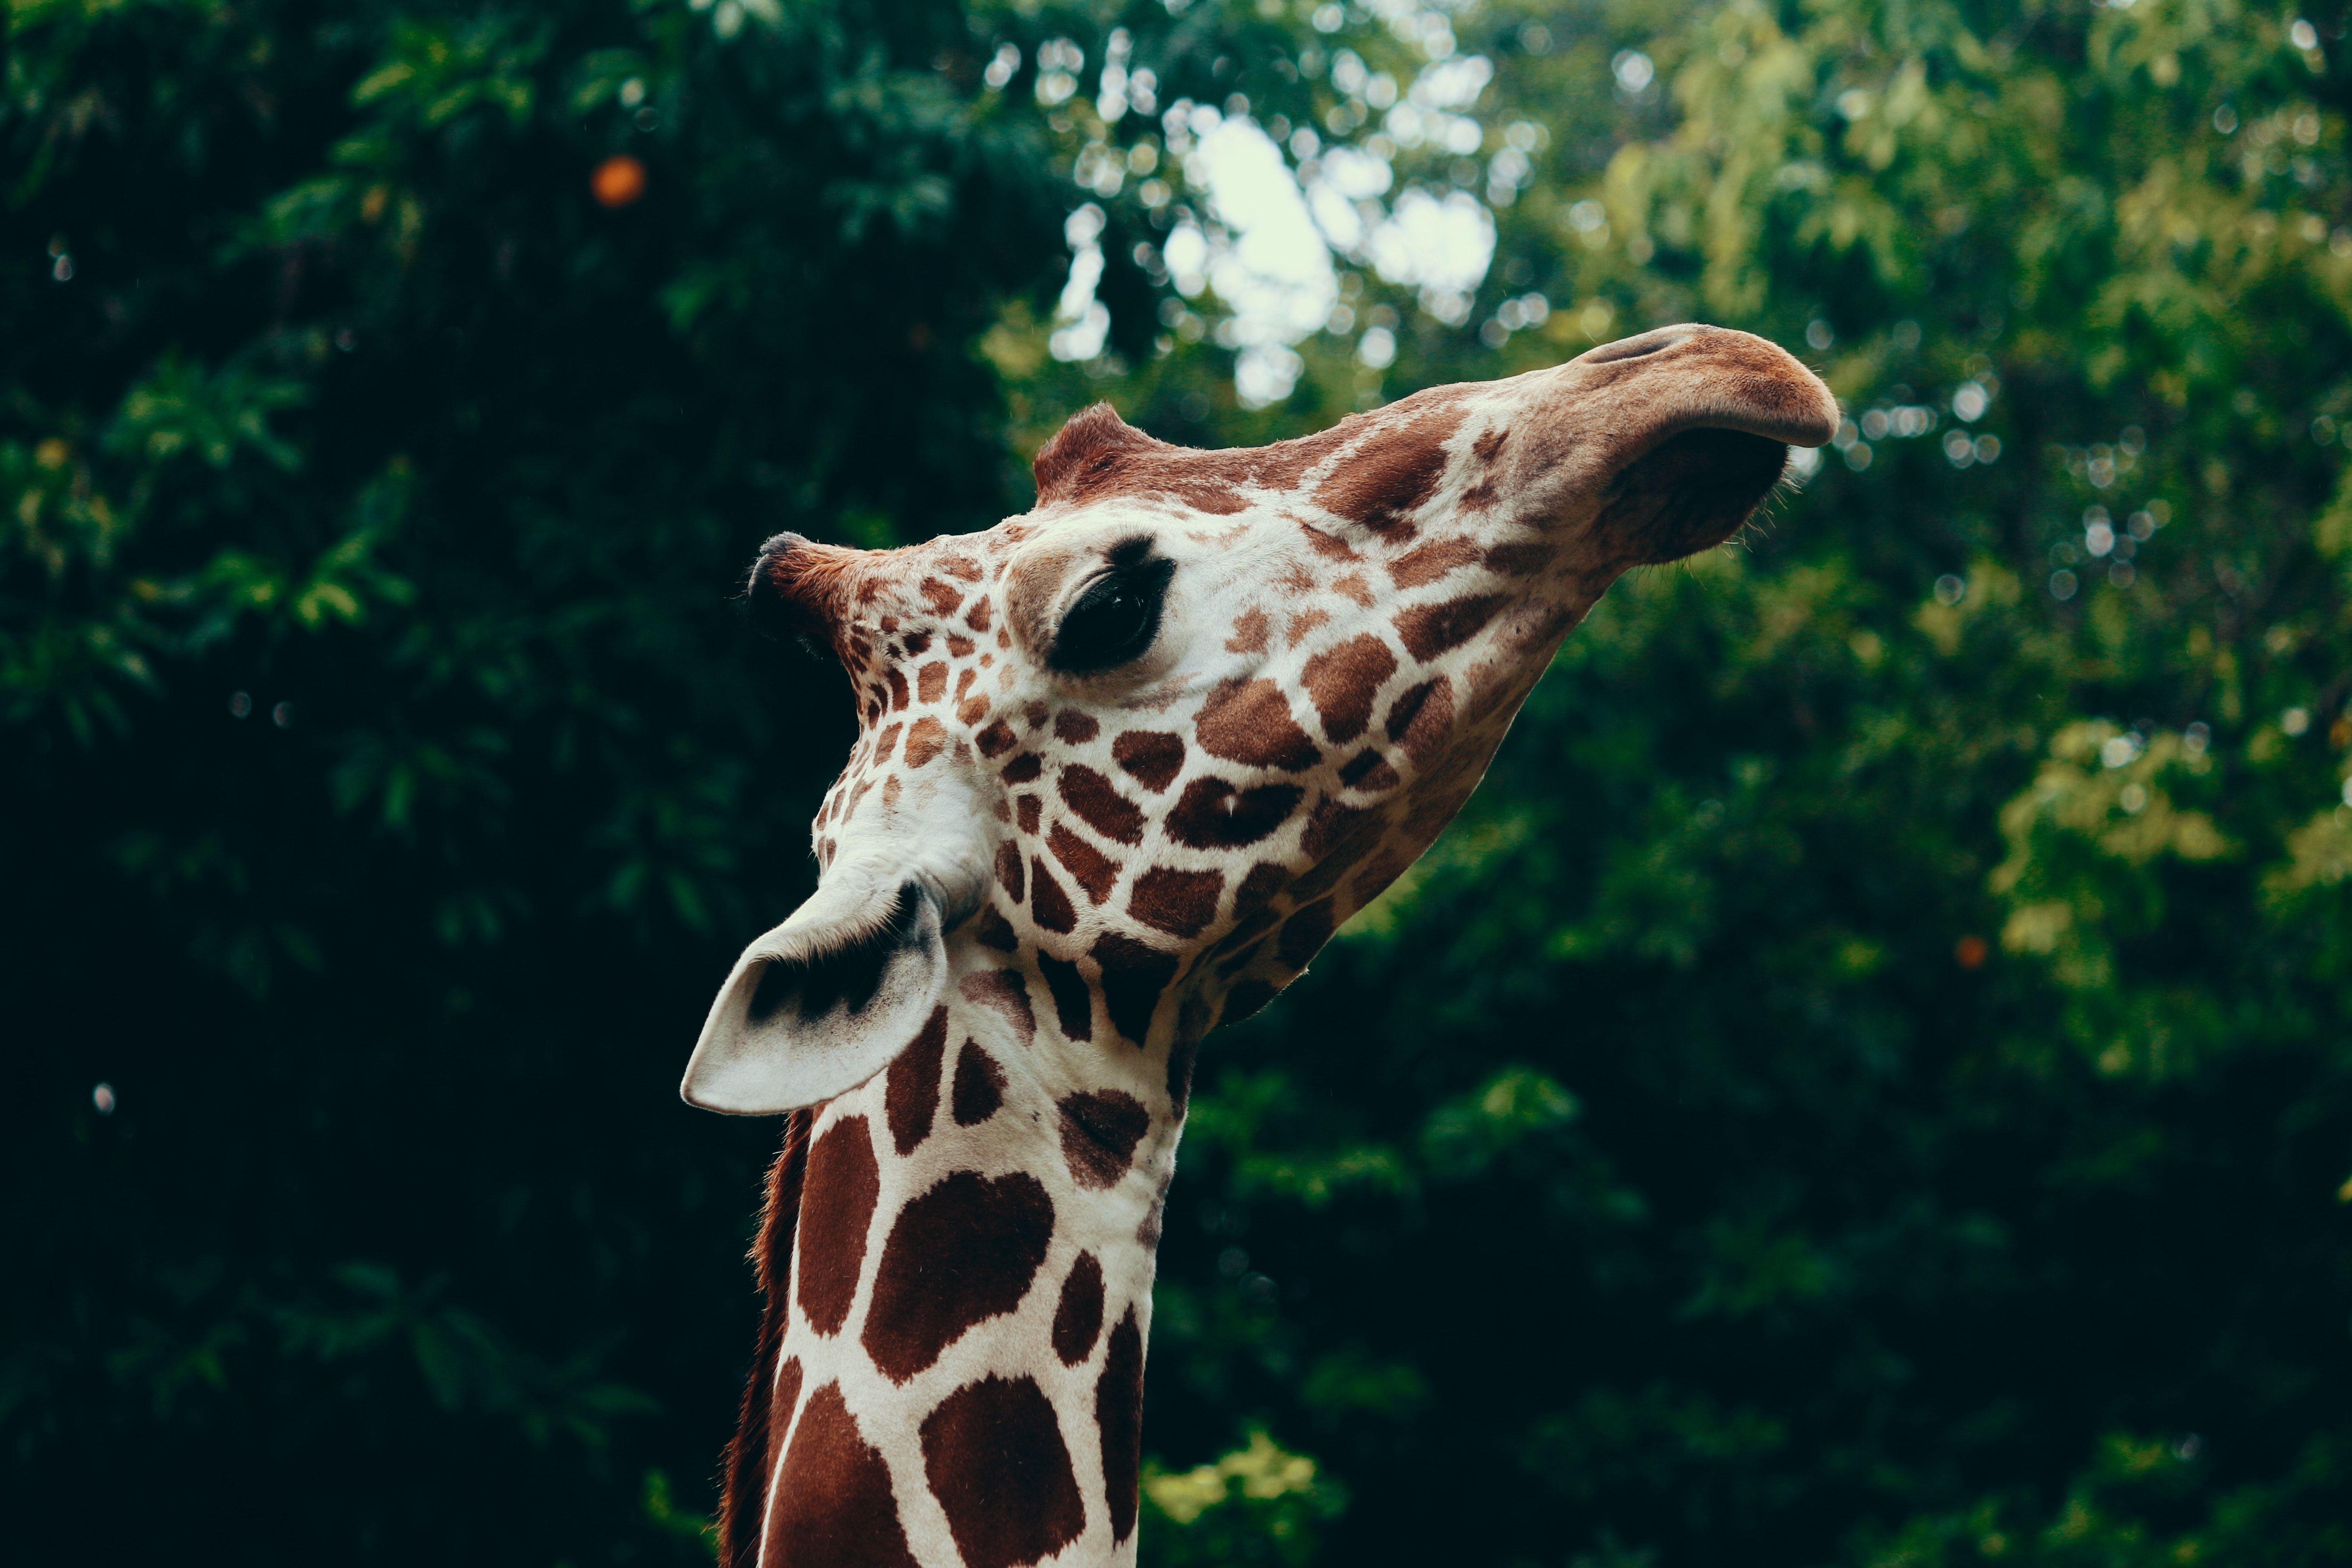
(822, 1003)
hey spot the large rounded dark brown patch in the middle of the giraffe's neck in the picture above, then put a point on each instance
(961, 1254)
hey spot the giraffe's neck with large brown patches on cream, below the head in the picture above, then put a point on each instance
(958, 1376)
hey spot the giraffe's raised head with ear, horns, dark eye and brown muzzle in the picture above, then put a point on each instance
(1156, 739)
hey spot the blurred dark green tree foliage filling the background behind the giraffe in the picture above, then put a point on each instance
(1866, 1083)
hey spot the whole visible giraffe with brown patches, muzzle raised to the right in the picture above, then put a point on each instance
(1125, 765)
